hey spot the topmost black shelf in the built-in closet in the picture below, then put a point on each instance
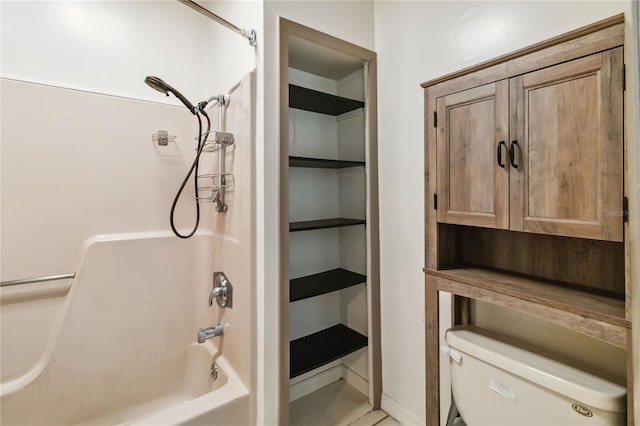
(324, 103)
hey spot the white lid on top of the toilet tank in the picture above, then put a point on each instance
(560, 378)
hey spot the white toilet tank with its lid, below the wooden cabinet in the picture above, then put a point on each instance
(495, 383)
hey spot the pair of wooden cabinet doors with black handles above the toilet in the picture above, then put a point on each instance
(539, 152)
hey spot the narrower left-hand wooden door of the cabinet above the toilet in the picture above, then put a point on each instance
(473, 186)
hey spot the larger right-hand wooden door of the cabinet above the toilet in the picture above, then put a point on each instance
(567, 122)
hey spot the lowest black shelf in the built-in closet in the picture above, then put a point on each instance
(318, 349)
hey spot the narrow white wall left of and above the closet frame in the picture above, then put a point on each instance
(336, 18)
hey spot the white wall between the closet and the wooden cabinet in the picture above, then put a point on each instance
(415, 42)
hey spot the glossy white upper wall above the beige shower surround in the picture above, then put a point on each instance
(111, 46)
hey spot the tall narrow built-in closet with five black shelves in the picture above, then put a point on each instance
(328, 243)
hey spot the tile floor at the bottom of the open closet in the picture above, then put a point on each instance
(337, 404)
